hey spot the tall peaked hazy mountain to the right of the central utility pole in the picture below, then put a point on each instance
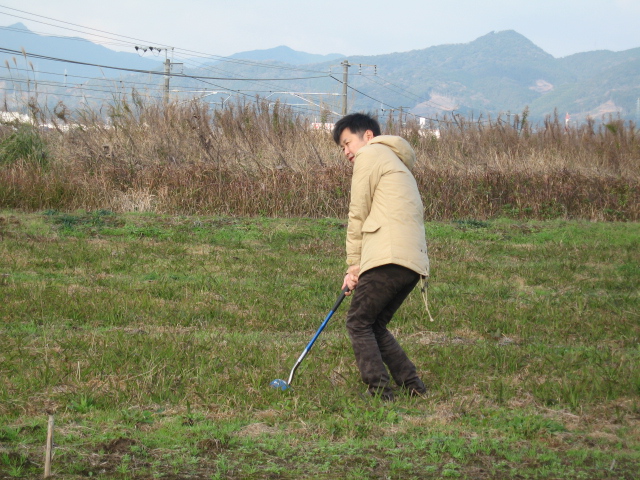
(505, 72)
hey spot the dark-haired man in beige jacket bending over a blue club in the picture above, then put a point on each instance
(386, 249)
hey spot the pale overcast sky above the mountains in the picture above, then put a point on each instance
(370, 27)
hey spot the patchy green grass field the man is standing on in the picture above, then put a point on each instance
(153, 340)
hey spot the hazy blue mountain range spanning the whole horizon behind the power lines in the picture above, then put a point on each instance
(500, 73)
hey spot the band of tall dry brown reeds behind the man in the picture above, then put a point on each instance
(261, 159)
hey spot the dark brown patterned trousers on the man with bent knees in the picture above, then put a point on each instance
(379, 294)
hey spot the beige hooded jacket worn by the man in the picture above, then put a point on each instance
(386, 215)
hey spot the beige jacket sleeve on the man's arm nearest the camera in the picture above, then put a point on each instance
(363, 184)
